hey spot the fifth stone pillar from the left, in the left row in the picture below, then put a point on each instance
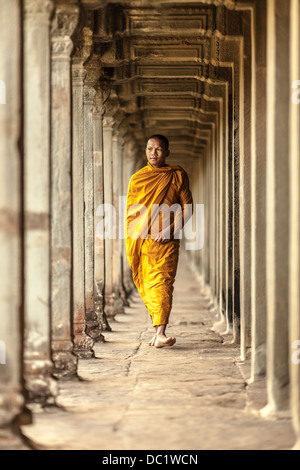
(99, 266)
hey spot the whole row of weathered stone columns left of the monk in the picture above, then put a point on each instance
(63, 283)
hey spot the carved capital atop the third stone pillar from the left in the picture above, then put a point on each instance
(63, 26)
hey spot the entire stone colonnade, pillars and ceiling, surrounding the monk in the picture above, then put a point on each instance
(85, 84)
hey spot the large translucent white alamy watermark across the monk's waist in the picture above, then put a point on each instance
(144, 222)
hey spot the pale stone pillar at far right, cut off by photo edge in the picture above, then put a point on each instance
(294, 255)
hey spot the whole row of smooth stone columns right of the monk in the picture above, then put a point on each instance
(255, 210)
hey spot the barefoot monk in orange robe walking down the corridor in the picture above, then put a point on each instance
(159, 202)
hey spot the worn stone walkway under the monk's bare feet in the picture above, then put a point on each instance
(131, 396)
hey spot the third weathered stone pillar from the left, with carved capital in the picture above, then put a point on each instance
(63, 26)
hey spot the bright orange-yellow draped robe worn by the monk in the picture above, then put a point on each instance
(154, 264)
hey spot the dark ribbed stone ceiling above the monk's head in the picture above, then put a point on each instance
(165, 63)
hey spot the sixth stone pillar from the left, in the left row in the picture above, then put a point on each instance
(108, 121)
